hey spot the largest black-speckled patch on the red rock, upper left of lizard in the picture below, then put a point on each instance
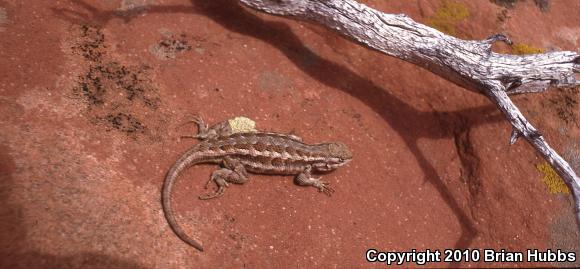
(115, 92)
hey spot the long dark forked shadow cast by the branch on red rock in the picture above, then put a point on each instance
(409, 123)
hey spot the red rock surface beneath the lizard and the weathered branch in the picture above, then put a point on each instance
(93, 95)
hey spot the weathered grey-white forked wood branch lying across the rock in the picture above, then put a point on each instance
(467, 63)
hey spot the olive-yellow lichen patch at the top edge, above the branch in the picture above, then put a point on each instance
(447, 16)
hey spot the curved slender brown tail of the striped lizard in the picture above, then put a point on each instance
(185, 161)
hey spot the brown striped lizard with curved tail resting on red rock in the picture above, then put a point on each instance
(251, 151)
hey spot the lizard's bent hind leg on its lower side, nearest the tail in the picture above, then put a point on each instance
(233, 172)
